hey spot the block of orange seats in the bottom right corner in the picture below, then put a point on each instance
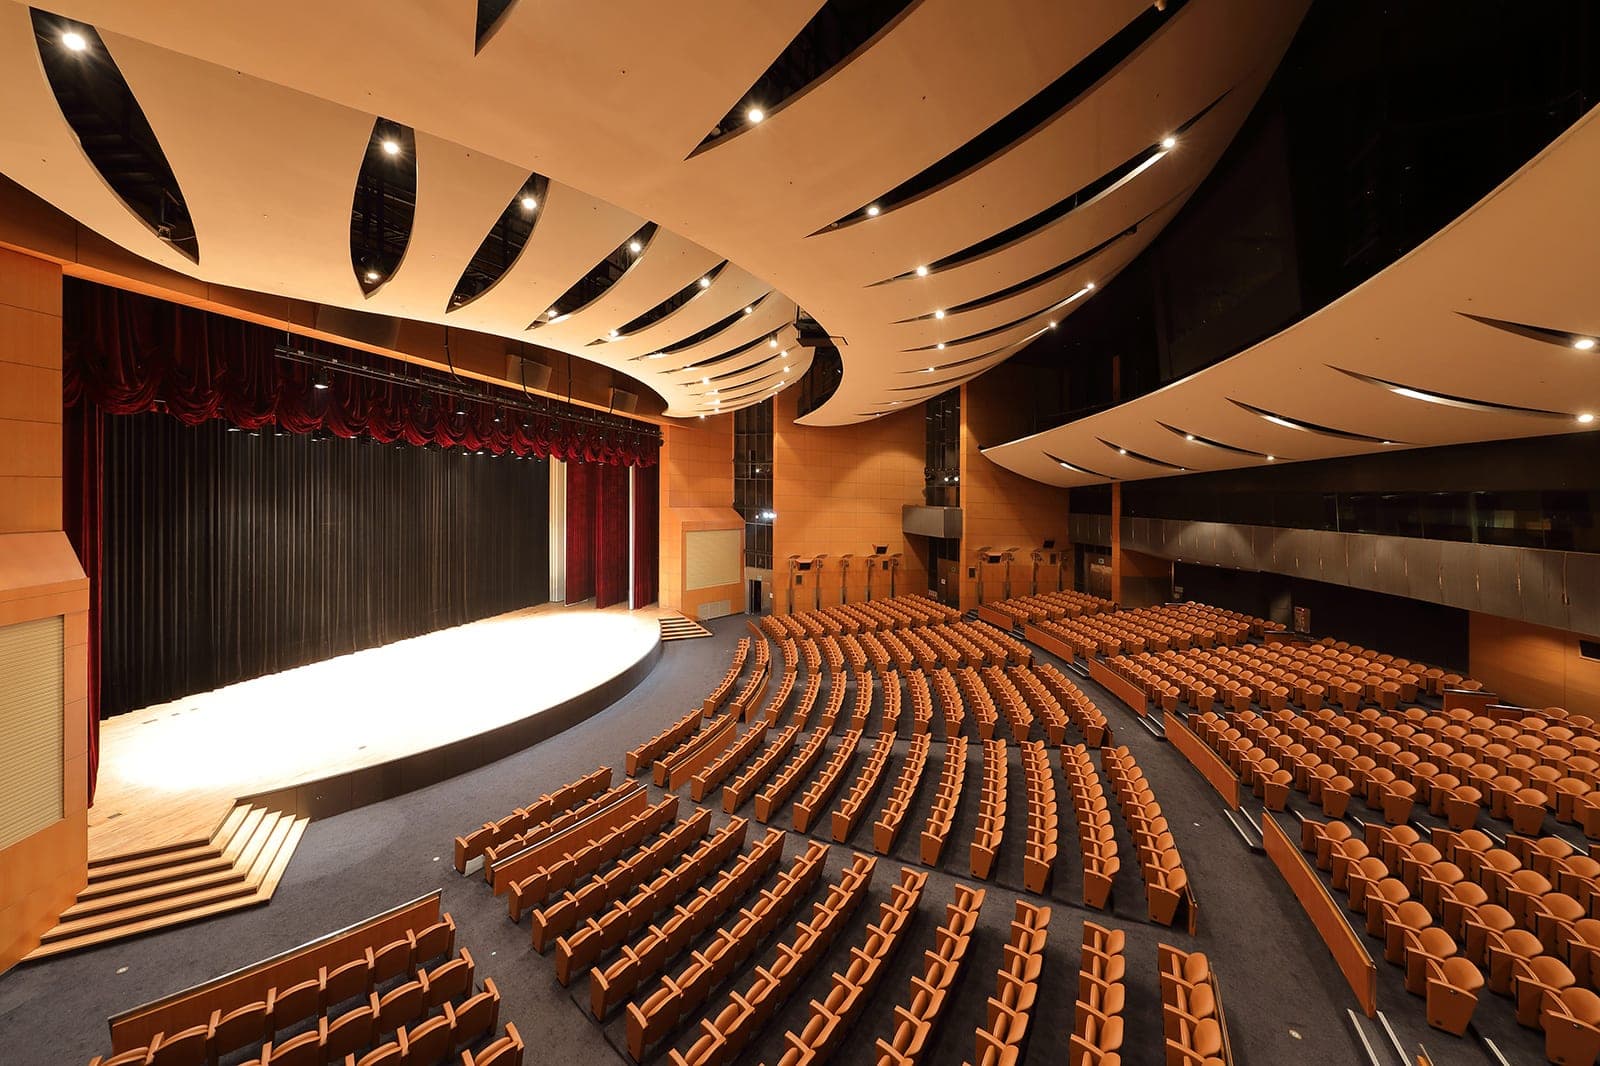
(1460, 915)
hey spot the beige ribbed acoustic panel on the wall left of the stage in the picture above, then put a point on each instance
(31, 707)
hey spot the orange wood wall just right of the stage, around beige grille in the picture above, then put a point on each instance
(697, 494)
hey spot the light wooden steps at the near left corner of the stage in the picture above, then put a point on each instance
(142, 892)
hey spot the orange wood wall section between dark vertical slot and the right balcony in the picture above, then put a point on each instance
(1004, 510)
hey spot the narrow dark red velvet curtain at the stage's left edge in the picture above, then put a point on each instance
(82, 495)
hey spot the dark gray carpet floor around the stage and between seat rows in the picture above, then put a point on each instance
(1286, 1000)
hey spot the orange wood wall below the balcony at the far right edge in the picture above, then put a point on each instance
(1534, 667)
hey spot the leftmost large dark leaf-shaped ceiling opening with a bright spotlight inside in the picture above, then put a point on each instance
(111, 129)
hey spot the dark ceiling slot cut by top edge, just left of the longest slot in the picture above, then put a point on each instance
(836, 34)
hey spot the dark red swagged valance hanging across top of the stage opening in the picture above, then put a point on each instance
(129, 355)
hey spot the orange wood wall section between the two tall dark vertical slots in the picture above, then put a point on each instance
(839, 491)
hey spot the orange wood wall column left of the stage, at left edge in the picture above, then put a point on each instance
(41, 579)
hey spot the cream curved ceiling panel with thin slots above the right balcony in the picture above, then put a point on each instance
(1417, 356)
